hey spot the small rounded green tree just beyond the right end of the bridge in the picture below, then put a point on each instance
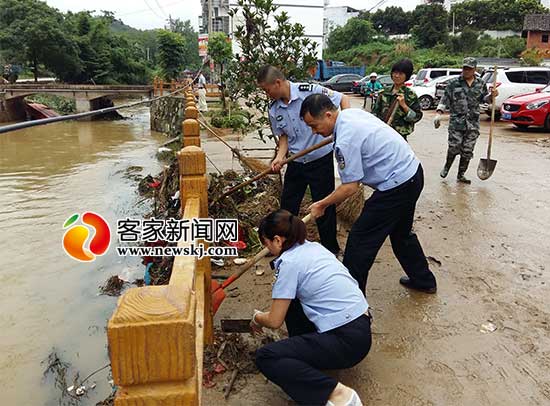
(171, 54)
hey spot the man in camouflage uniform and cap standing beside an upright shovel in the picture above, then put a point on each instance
(462, 97)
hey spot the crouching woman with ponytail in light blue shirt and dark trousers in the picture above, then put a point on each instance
(335, 331)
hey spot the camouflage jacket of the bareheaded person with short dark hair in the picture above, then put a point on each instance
(402, 122)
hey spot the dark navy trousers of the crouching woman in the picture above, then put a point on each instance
(295, 363)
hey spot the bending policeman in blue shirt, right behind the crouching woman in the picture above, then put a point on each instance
(371, 152)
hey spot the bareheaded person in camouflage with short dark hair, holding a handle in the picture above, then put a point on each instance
(408, 111)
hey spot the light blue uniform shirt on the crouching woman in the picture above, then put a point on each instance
(329, 295)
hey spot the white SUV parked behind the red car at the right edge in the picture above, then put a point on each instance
(514, 81)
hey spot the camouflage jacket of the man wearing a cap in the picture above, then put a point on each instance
(463, 103)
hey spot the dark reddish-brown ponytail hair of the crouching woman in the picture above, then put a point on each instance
(284, 224)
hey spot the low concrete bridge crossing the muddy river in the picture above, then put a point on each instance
(87, 97)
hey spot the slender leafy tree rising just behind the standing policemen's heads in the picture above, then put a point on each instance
(283, 45)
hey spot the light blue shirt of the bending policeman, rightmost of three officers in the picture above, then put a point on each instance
(370, 151)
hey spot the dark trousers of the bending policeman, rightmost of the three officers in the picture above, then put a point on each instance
(389, 213)
